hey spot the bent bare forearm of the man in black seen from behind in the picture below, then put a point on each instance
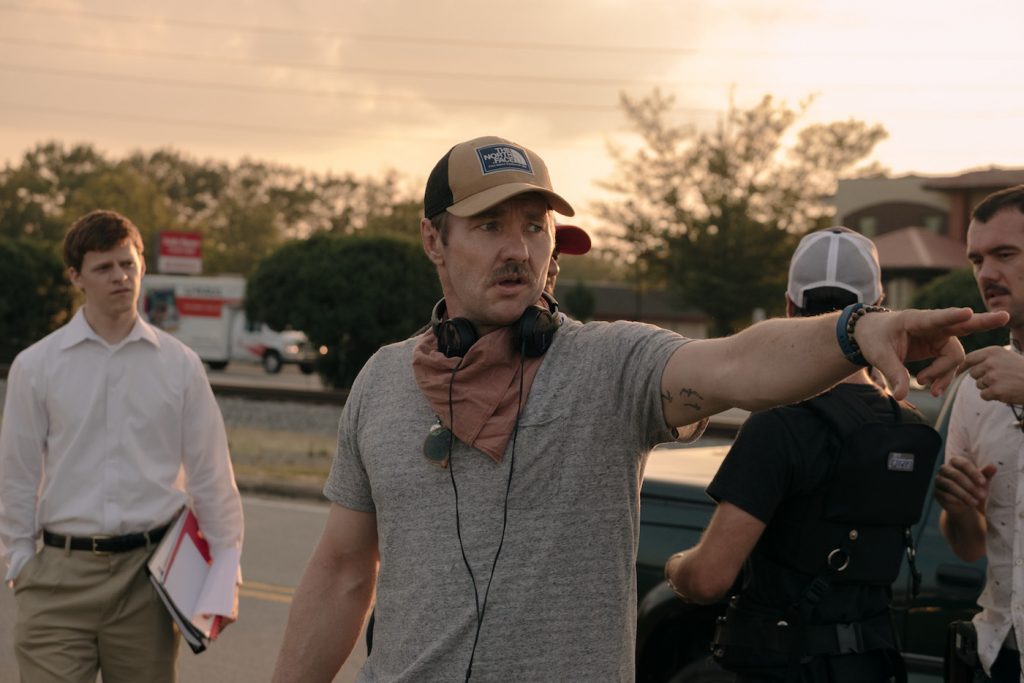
(704, 574)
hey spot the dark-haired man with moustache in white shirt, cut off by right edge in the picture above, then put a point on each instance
(979, 487)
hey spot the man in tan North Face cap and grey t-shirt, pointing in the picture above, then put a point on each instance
(486, 488)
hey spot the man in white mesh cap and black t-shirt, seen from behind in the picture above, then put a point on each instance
(801, 615)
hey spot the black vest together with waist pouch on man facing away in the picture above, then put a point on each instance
(851, 531)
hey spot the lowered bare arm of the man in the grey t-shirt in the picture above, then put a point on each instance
(332, 600)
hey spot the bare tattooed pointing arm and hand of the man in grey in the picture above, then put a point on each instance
(782, 362)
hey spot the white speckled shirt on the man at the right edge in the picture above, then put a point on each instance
(987, 432)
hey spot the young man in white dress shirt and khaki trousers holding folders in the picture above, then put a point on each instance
(101, 420)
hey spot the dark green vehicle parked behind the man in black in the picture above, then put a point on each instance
(674, 638)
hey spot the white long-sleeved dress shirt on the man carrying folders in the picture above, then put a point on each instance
(107, 440)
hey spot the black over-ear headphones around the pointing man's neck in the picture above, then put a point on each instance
(534, 331)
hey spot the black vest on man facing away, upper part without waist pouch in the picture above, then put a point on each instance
(854, 526)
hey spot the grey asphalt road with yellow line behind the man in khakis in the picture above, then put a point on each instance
(280, 537)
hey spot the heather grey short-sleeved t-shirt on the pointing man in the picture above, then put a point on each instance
(563, 604)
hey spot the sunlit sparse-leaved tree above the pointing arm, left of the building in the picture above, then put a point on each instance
(717, 214)
